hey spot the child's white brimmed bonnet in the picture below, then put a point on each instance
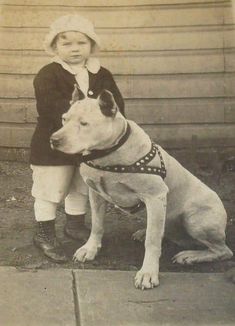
(70, 23)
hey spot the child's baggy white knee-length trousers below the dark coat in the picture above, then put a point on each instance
(54, 183)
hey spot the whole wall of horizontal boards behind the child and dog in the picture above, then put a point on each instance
(174, 62)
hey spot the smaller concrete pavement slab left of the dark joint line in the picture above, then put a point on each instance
(36, 298)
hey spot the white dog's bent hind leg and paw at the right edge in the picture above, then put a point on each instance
(208, 232)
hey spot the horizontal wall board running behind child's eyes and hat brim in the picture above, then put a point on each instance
(132, 39)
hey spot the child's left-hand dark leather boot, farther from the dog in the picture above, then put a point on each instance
(45, 239)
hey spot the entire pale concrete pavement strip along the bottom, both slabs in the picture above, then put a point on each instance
(108, 298)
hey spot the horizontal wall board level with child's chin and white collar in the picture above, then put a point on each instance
(126, 63)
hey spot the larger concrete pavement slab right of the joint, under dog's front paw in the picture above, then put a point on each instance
(108, 298)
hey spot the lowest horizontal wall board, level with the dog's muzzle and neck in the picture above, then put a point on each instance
(15, 135)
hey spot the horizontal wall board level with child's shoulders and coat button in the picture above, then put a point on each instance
(142, 86)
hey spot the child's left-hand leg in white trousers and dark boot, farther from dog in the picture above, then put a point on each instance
(50, 185)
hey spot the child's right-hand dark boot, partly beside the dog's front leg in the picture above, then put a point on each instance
(75, 227)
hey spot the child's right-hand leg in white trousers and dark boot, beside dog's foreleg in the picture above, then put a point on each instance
(75, 209)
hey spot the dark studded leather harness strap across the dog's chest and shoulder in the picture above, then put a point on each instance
(139, 166)
